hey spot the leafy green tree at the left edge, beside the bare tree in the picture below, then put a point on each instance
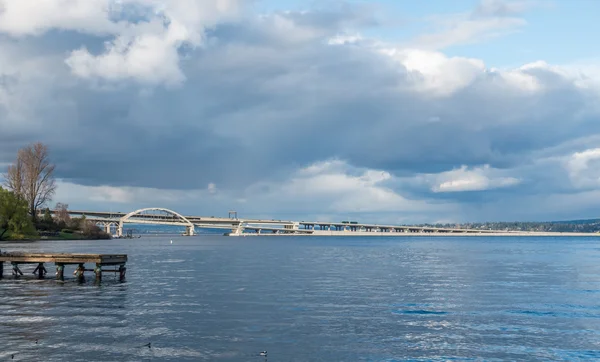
(13, 214)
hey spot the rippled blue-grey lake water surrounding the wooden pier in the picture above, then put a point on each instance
(313, 299)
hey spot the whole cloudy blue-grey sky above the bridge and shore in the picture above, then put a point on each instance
(376, 111)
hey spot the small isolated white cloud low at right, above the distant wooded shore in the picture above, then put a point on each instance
(463, 179)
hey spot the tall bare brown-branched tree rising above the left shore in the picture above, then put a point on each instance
(32, 176)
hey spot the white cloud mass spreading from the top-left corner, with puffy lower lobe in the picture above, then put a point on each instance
(146, 51)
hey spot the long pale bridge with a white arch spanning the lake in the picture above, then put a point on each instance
(238, 227)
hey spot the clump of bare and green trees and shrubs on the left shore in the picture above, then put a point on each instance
(30, 185)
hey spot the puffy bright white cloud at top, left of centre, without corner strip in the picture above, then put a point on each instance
(149, 52)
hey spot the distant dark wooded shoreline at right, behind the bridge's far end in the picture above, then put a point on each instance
(581, 226)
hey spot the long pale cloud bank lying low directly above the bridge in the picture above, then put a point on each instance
(331, 189)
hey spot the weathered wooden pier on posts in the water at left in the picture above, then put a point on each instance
(101, 261)
